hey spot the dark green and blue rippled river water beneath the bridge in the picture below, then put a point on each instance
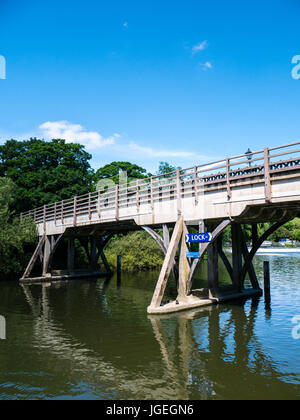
(94, 340)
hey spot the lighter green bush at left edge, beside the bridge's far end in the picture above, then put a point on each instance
(15, 237)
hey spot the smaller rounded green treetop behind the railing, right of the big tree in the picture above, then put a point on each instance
(113, 169)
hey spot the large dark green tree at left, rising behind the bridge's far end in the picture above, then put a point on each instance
(45, 172)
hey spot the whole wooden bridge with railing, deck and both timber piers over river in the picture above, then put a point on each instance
(252, 188)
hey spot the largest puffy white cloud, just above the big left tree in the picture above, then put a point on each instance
(75, 133)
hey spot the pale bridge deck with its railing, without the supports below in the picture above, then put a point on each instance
(263, 186)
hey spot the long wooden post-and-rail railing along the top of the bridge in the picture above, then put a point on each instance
(193, 181)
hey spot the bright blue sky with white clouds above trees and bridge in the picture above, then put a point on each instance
(183, 82)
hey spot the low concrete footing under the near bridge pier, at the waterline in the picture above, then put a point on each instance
(191, 302)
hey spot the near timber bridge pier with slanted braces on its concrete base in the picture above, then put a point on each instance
(187, 297)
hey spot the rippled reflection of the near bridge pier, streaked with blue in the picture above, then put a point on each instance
(232, 348)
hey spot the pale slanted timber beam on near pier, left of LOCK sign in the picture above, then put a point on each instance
(167, 265)
